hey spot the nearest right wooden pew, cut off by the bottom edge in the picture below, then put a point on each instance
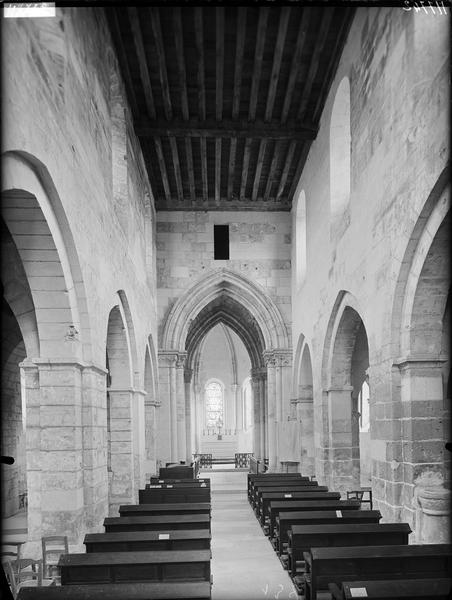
(421, 589)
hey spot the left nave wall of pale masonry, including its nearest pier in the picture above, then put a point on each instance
(66, 118)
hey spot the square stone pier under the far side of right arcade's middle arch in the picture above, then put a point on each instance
(342, 476)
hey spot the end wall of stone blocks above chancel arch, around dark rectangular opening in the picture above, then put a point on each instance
(260, 246)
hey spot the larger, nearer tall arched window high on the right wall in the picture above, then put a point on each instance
(340, 154)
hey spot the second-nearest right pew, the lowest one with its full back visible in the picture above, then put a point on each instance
(356, 563)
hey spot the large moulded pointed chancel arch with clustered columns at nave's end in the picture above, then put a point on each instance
(227, 297)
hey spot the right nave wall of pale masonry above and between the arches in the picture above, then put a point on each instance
(397, 65)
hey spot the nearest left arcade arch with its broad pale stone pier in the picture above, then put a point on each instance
(47, 297)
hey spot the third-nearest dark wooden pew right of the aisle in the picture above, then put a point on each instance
(303, 537)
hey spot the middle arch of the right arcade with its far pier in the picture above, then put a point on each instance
(345, 364)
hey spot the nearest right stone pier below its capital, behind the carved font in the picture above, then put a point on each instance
(424, 428)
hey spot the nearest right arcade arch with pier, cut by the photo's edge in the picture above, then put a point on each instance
(421, 339)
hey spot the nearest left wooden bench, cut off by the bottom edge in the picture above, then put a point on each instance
(186, 590)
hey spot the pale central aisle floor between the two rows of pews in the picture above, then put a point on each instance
(244, 564)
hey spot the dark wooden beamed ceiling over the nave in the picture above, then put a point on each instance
(226, 101)
